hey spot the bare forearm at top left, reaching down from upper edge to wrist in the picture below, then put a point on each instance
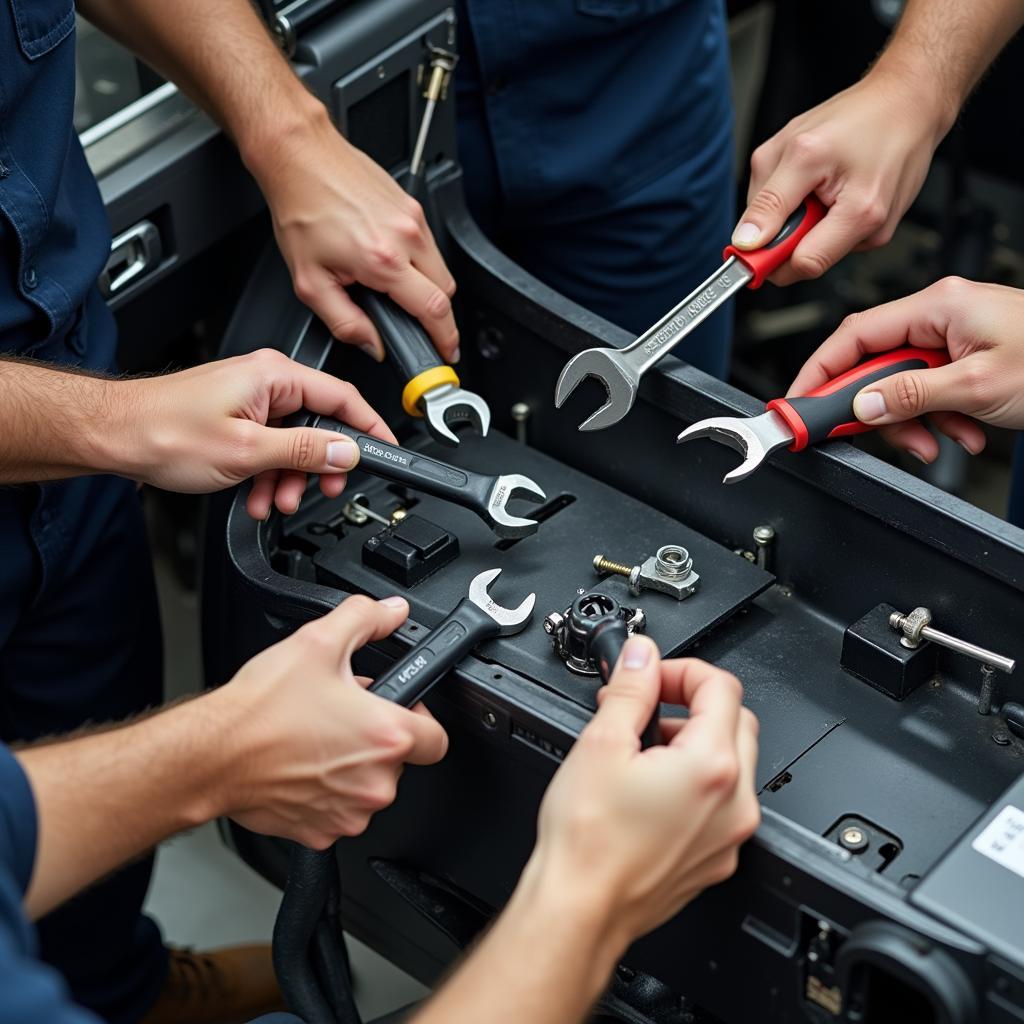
(223, 57)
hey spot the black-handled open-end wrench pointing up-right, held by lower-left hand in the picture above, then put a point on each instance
(475, 620)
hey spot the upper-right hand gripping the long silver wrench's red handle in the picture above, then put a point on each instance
(866, 153)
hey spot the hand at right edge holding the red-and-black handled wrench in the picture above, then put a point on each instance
(980, 325)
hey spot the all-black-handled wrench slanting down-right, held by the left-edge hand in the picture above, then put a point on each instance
(487, 496)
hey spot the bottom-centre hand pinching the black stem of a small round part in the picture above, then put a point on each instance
(645, 832)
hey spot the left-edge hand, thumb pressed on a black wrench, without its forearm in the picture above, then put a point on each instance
(205, 430)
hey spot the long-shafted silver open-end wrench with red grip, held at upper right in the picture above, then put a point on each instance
(620, 370)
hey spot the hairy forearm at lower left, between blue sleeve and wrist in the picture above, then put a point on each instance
(106, 798)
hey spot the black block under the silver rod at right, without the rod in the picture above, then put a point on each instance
(872, 652)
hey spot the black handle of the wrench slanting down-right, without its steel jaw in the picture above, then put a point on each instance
(441, 480)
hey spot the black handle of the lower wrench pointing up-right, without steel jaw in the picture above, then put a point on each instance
(416, 672)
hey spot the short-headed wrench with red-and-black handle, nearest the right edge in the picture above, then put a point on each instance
(826, 412)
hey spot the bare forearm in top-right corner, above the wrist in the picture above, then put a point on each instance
(946, 47)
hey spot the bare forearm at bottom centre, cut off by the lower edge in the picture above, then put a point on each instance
(548, 957)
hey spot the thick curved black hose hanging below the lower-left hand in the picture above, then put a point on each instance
(302, 910)
